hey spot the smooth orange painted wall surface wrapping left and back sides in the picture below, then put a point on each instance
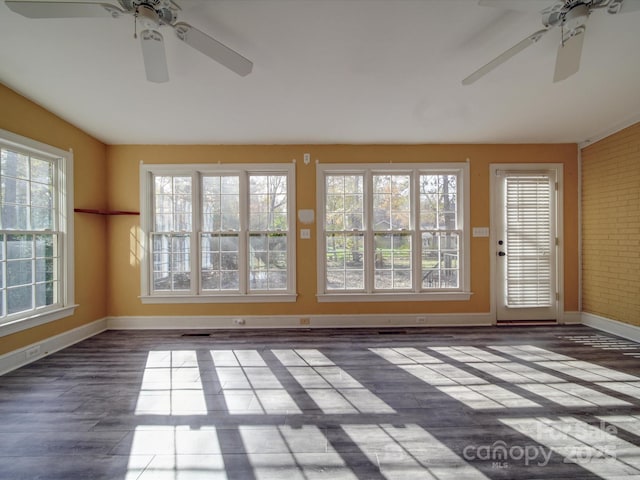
(107, 275)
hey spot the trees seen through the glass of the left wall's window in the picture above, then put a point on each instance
(29, 260)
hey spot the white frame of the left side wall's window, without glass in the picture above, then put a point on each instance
(65, 306)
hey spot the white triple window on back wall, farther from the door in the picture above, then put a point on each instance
(218, 233)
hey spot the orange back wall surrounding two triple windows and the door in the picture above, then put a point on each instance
(124, 278)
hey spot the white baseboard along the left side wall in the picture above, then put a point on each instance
(25, 355)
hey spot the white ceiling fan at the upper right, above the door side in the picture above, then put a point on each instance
(570, 16)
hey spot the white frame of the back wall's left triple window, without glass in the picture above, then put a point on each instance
(195, 294)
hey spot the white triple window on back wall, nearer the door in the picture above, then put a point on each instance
(393, 232)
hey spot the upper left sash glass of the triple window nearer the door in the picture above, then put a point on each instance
(344, 209)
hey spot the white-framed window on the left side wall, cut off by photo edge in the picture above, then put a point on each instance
(36, 233)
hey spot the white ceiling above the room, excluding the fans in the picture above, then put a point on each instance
(329, 71)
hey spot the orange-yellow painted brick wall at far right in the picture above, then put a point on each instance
(611, 227)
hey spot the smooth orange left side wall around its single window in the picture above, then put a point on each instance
(21, 116)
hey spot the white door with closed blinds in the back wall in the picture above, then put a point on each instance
(526, 245)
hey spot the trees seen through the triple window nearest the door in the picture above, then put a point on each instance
(377, 227)
